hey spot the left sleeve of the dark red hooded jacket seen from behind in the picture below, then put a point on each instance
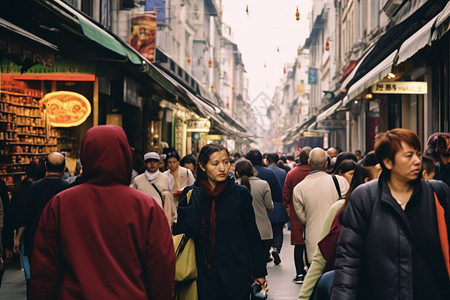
(46, 263)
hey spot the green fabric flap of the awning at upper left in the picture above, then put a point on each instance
(102, 37)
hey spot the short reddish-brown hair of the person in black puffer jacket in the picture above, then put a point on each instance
(388, 143)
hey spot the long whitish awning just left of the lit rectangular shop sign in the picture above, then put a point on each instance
(376, 74)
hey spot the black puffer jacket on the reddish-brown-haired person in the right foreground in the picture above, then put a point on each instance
(376, 253)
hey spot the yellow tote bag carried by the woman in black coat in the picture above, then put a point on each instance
(186, 265)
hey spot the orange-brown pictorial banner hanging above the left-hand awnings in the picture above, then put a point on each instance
(143, 34)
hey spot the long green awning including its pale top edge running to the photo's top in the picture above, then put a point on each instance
(99, 35)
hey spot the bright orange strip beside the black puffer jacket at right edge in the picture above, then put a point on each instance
(440, 199)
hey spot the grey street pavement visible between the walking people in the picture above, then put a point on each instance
(281, 286)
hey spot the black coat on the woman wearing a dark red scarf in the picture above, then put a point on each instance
(238, 257)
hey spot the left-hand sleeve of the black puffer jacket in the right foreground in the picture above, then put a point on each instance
(350, 247)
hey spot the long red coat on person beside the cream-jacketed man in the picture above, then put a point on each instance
(293, 177)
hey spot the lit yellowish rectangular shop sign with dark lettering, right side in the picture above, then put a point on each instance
(400, 87)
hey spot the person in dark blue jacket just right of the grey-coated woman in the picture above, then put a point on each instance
(277, 215)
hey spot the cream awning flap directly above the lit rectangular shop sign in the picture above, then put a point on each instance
(416, 42)
